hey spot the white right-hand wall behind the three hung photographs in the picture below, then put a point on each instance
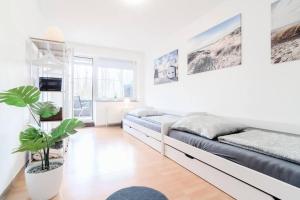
(256, 90)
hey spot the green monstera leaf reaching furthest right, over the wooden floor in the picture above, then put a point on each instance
(66, 128)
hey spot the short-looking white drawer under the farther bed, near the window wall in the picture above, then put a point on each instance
(143, 137)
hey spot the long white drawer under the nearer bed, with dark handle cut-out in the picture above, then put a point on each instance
(227, 183)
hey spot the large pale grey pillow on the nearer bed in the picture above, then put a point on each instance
(209, 126)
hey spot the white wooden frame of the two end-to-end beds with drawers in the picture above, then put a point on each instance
(238, 181)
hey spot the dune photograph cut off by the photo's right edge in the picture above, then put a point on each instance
(285, 35)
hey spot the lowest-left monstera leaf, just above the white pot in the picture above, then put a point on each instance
(32, 139)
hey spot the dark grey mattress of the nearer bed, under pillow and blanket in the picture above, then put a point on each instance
(280, 169)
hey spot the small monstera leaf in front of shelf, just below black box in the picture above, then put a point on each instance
(44, 109)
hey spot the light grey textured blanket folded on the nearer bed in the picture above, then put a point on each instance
(281, 145)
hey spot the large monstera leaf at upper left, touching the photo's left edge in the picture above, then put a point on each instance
(20, 96)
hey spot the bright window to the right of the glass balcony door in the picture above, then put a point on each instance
(115, 80)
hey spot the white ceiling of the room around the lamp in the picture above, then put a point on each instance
(115, 23)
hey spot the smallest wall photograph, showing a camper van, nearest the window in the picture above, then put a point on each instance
(166, 68)
